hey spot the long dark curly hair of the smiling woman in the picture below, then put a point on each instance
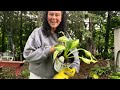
(62, 26)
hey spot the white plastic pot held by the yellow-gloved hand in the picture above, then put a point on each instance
(59, 65)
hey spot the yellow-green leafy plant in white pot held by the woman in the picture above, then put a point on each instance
(63, 55)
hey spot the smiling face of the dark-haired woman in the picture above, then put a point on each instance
(54, 19)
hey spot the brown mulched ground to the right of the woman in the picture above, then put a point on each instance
(86, 68)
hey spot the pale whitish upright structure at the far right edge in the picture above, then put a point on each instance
(117, 47)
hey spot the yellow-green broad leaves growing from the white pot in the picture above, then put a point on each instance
(68, 46)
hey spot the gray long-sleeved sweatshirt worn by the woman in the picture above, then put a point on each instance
(37, 53)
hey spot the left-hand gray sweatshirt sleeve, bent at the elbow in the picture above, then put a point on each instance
(34, 52)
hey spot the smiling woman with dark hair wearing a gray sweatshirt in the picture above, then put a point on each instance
(39, 48)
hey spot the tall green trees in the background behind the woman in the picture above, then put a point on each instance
(94, 29)
